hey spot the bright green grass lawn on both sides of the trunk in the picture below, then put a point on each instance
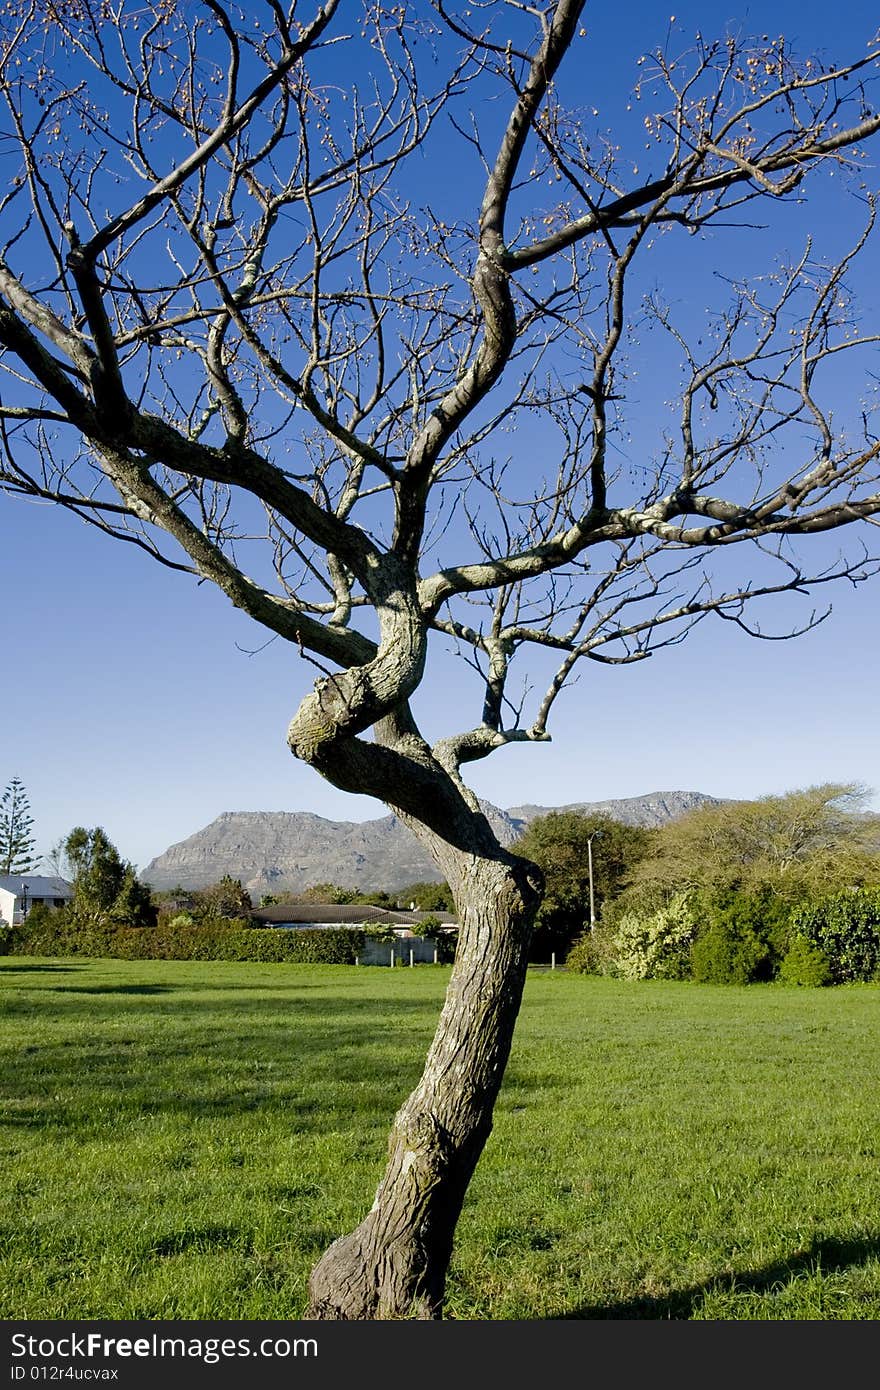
(183, 1140)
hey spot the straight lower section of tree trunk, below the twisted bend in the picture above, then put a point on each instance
(394, 1266)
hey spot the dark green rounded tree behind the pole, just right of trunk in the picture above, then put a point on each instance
(562, 844)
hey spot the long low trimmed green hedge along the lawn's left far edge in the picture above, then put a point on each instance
(56, 933)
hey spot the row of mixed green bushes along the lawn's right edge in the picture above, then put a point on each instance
(740, 939)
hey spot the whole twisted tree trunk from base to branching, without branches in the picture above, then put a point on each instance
(394, 1266)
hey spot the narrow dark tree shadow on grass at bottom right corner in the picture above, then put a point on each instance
(833, 1256)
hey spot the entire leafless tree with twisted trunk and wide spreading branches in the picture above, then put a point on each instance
(230, 312)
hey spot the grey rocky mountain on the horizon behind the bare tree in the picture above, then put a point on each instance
(277, 850)
